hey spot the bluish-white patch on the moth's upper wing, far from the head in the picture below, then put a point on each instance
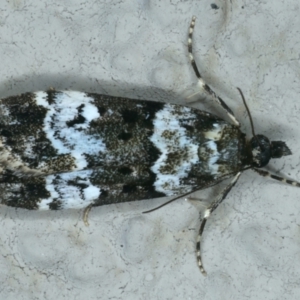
(71, 140)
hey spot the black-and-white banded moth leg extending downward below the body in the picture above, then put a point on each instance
(207, 214)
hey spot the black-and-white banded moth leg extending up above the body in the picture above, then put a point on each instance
(202, 83)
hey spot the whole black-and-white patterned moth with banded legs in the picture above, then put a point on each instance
(70, 149)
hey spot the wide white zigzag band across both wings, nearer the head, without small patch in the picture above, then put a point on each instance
(166, 124)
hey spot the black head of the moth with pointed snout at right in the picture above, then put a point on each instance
(263, 150)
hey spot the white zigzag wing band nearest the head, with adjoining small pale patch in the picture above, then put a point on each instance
(166, 124)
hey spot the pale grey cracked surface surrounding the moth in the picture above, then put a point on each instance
(251, 247)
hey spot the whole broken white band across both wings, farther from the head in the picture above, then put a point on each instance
(73, 140)
